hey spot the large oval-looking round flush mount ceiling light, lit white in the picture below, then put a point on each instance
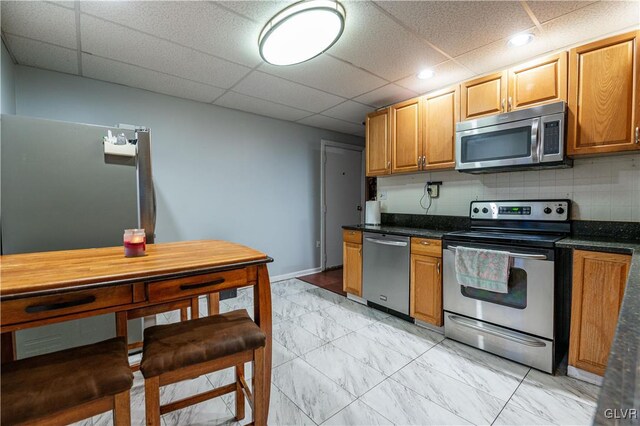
(301, 32)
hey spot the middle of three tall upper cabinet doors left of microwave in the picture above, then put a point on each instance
(406, 136)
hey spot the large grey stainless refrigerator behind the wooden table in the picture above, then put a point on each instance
(60, 191)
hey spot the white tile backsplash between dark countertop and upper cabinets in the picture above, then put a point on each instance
(604, 188)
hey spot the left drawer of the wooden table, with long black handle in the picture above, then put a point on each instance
(34, 308)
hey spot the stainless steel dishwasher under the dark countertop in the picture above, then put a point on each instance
(385, 279)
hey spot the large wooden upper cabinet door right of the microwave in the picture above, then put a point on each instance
(603, 96)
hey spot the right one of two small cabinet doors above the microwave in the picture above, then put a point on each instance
(538, 82)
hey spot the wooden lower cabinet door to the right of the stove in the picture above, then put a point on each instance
(599, 281)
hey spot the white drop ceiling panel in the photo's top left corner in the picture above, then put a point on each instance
(40, 21)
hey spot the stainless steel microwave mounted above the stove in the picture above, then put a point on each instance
(531, 138)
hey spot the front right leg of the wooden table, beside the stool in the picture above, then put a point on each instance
(262, 313)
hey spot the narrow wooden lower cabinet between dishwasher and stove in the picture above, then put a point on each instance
(425, 300)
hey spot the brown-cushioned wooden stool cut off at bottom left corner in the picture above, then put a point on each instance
(68, 386)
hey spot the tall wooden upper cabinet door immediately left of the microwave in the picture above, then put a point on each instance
(441, 112)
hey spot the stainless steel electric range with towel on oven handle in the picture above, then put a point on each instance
(529, 323)
